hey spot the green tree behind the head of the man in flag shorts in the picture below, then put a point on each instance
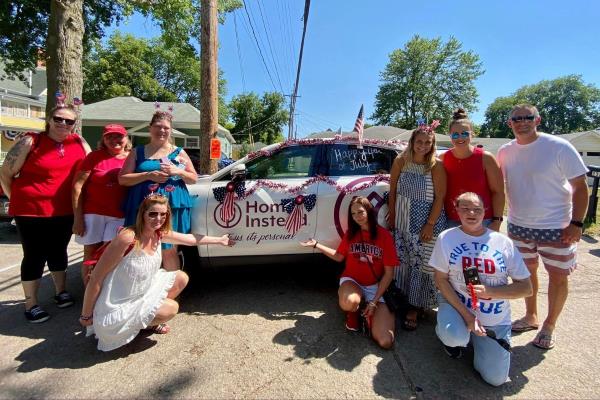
(566, 104)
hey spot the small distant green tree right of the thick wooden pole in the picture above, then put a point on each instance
(263, 118)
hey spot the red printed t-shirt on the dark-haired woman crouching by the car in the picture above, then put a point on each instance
(361, 250)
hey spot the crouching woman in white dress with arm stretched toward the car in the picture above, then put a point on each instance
(128, 291)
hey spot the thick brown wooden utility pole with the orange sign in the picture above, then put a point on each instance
(209, 83)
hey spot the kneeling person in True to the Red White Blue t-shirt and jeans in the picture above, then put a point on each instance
(472, 311)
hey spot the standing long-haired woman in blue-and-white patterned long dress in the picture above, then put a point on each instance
(416, 204)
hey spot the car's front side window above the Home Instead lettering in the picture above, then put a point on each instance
(289, 162)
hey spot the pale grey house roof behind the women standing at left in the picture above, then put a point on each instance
(131, 111)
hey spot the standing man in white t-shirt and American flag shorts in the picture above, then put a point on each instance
(548, 196)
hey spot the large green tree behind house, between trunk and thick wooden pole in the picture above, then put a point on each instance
(148, 69)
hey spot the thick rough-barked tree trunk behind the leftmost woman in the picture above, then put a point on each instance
(64, 51)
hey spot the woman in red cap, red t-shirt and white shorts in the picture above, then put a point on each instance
(97, 196)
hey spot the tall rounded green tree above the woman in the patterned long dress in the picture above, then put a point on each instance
(427, 78)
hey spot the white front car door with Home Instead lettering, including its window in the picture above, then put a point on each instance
(259, 219)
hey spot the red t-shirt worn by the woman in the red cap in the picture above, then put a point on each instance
(102, 193)
